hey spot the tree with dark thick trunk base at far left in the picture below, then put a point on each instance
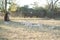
(3, 8)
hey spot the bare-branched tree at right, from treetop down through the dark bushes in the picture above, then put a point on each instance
(51, 7)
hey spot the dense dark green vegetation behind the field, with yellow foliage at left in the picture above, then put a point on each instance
(51, 10)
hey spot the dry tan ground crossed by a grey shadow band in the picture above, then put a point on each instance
(14, 30)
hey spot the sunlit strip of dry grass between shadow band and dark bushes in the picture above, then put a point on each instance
(38, 20)
